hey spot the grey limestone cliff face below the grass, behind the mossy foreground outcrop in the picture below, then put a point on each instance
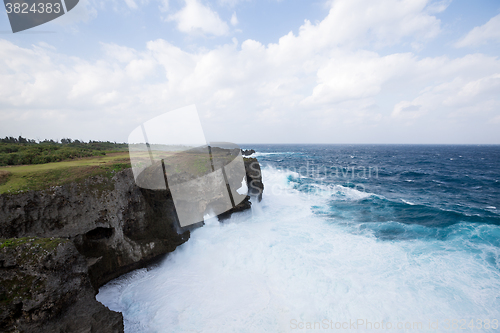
(116, 225)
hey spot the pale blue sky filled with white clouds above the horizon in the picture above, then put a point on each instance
(259, 71)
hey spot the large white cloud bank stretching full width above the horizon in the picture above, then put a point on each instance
(323, 85)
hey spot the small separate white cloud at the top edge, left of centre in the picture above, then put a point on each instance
(195, 18)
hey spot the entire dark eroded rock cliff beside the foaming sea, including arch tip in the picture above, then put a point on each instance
(103, 227)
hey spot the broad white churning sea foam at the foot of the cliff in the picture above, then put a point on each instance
(279, 262)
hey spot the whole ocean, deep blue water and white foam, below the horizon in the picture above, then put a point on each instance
(365, 238)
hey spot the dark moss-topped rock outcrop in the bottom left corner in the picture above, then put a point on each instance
(44, 287)
